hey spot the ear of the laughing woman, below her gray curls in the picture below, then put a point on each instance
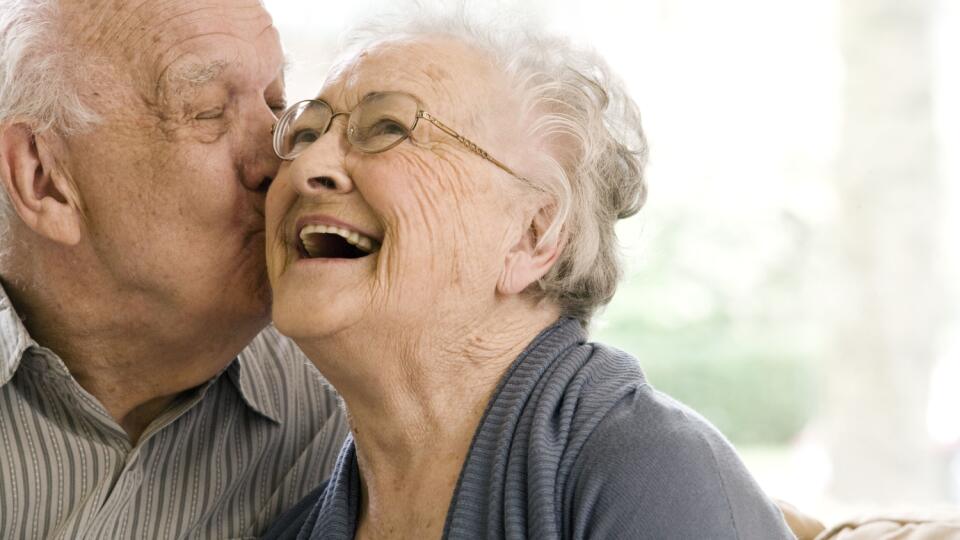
(532, 256)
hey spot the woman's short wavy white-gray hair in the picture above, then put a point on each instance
(595, 150)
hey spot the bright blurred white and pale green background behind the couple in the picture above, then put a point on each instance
(792, 276)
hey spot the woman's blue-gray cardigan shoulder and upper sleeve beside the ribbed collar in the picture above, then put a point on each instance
(651, 463)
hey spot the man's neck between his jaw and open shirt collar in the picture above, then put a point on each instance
(135, 362)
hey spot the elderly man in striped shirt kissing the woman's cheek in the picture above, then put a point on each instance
(137, 399)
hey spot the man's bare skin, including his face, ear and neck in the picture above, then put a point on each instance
(140, 246)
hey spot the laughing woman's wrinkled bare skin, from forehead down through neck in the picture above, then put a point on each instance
(416, 335)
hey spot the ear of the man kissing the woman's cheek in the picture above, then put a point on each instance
(39, 190)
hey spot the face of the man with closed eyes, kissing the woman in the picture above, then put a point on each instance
(173, 180)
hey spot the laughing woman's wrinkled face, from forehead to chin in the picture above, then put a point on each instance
(437, 218)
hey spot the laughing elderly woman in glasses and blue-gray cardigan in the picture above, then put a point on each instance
(438, 237)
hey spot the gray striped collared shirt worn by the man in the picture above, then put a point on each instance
(222, 462)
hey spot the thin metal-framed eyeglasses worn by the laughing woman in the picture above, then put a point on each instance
(381, 121)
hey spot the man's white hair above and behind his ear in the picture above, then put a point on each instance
(36, 86)
